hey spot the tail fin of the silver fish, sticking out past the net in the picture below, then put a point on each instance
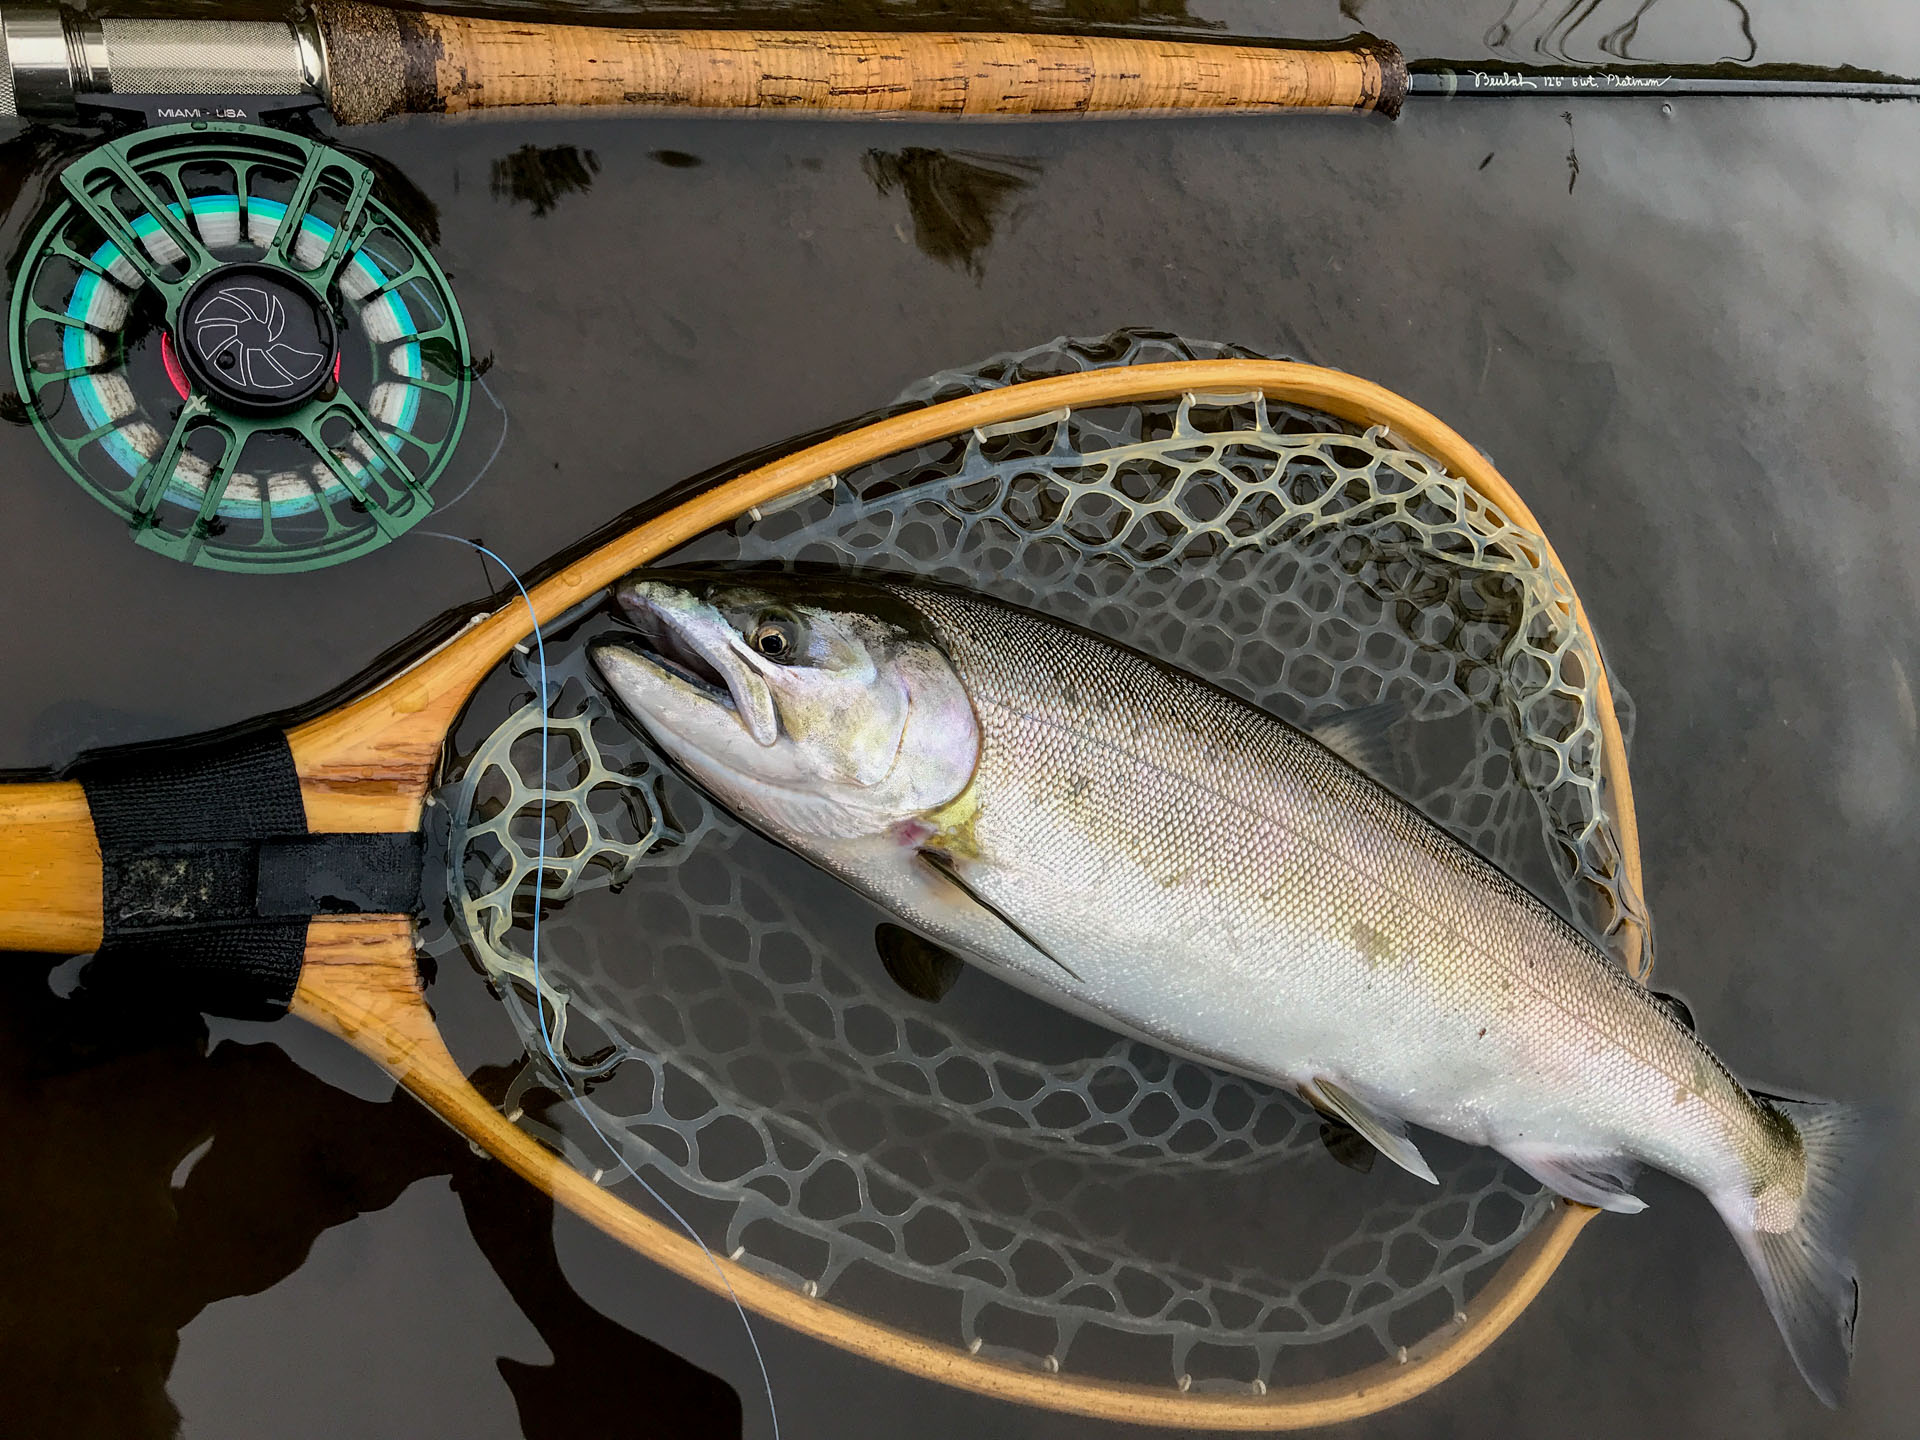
(1800, 1245)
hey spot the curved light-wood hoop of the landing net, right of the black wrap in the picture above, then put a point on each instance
(368, 767)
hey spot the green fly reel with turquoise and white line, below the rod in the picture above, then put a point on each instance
(235, 347)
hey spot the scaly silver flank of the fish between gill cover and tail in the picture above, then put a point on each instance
(1278, 836)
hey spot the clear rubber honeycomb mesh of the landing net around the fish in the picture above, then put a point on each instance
(986, 1170)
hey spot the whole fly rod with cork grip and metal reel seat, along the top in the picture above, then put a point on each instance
(368, 62)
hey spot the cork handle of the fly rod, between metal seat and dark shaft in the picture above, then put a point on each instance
(389, 62)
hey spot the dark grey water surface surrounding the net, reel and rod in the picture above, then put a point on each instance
(1687, 335)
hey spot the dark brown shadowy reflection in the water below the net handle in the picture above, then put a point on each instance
(199, 1189)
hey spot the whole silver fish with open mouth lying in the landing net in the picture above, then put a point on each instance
(1155, 855)
